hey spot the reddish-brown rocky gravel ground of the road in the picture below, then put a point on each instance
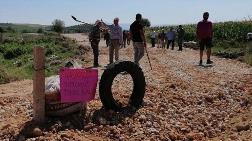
(183, 101)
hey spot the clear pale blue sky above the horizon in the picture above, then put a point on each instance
(159, 12)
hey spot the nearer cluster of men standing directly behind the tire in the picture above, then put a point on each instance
(115, 39)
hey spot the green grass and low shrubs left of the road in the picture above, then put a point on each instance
(16, 53)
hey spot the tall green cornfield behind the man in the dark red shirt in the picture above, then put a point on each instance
(230, 38)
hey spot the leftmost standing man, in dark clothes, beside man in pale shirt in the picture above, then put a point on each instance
(94, 38)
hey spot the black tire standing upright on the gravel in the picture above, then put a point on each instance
(107, 79)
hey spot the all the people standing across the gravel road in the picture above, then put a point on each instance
(116, 38)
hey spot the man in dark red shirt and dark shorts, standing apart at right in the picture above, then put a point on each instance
(205, 35)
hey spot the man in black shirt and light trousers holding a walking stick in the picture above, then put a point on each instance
(139, 41)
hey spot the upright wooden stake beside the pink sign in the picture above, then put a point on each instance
(39, 84)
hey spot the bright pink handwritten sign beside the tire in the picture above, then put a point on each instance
(78, 85)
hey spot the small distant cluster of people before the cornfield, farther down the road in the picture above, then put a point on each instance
(168, 38)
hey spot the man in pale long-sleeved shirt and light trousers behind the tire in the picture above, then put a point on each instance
(116, 37)
